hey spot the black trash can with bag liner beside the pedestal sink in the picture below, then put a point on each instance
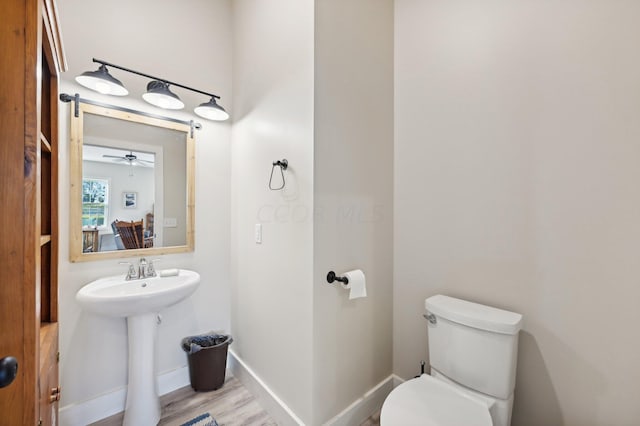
(207, 357)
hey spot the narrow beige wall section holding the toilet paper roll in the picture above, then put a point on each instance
(353, 190)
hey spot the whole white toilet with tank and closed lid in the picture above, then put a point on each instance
(473, 351)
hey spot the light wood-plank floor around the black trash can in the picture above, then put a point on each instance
(231, 405)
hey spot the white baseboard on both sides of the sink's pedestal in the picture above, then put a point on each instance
(108, 404)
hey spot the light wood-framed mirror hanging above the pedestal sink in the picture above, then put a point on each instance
(132, 184)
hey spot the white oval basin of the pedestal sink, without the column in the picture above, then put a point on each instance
(114, 296)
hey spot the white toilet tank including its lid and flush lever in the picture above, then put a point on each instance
(474, 345)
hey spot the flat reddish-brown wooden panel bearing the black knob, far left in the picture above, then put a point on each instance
(12, 222)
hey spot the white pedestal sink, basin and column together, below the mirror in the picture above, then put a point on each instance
(139, 301)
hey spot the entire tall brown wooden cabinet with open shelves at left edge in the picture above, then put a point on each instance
(30, 62)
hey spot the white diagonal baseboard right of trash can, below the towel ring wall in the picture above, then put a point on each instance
(280, 412)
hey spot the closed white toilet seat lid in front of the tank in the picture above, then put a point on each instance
(427, 401)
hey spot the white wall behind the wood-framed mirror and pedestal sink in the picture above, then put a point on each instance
(94, 349)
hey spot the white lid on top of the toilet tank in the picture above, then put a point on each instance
(474, 314)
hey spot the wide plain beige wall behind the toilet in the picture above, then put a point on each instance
(516, 186)
